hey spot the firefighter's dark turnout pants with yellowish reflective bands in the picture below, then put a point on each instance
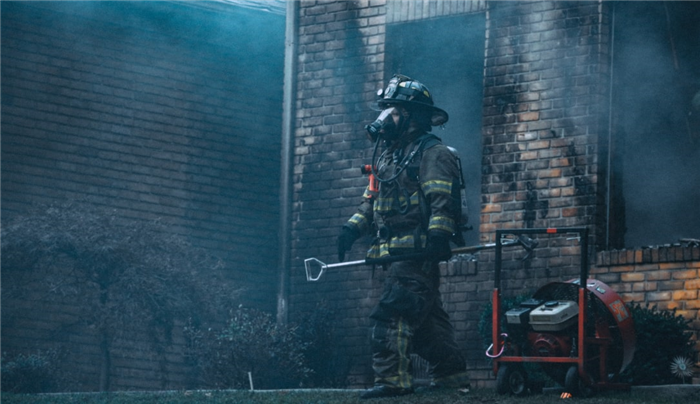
(410, 319)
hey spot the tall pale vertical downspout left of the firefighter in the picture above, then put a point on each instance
(287, 159)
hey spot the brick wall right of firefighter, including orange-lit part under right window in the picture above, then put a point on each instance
(546, 79)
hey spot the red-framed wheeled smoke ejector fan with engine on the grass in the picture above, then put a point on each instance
(579, 332)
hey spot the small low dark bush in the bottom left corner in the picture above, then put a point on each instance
(30, 373)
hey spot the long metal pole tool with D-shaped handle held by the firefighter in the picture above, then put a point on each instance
(314, 265)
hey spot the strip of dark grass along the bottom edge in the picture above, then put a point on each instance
(340, 397)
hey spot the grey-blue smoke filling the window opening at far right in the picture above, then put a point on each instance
(657, 74)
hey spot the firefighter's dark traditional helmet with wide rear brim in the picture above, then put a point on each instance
(404, 91)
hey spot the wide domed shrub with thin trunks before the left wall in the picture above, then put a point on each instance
(88, 272)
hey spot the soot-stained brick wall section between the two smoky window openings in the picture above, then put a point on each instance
(544, 85)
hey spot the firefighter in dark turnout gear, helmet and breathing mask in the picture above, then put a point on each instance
(414, 211)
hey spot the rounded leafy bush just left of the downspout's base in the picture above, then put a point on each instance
(252, 342)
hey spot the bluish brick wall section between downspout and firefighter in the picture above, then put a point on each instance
(340, 67)
